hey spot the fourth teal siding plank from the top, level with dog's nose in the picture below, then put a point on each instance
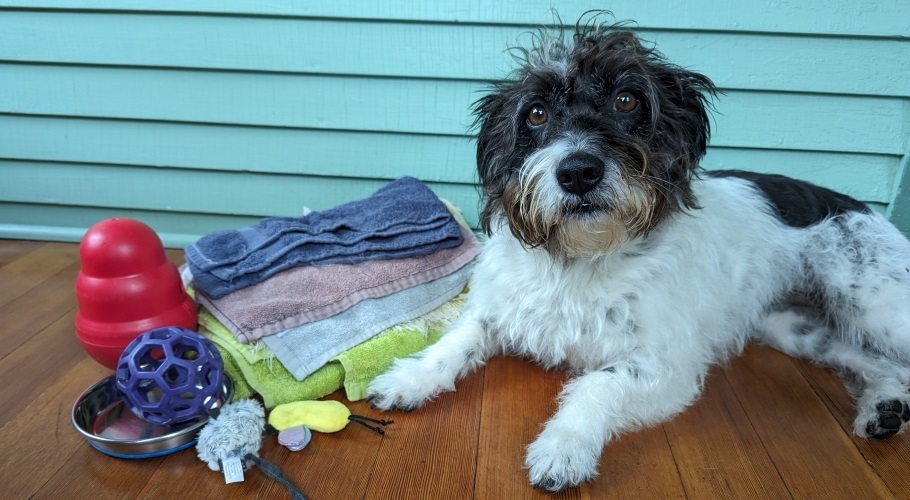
(327, 153)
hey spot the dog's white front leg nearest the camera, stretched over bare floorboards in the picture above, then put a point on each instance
(598, 405)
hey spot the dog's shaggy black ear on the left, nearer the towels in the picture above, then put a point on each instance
(495, 142)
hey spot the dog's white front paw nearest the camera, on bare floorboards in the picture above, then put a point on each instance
(560, 459)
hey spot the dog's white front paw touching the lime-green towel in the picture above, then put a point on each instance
(406, 386)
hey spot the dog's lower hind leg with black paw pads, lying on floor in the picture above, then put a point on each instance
(878, 383)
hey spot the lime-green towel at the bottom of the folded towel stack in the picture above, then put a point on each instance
(255, 371)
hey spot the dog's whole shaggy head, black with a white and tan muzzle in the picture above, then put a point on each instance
(590, 143)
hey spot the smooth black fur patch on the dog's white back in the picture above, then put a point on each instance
(797, 203)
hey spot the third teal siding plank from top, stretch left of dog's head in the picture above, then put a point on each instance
(303, 101)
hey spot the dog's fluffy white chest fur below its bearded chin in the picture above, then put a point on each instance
(581, 315)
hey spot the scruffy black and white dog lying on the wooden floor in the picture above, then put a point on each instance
(611, 253)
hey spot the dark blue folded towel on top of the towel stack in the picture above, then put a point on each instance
(403, 219)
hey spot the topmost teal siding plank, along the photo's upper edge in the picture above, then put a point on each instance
(838, 18)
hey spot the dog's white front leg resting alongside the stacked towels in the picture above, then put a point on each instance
(410, 382)
